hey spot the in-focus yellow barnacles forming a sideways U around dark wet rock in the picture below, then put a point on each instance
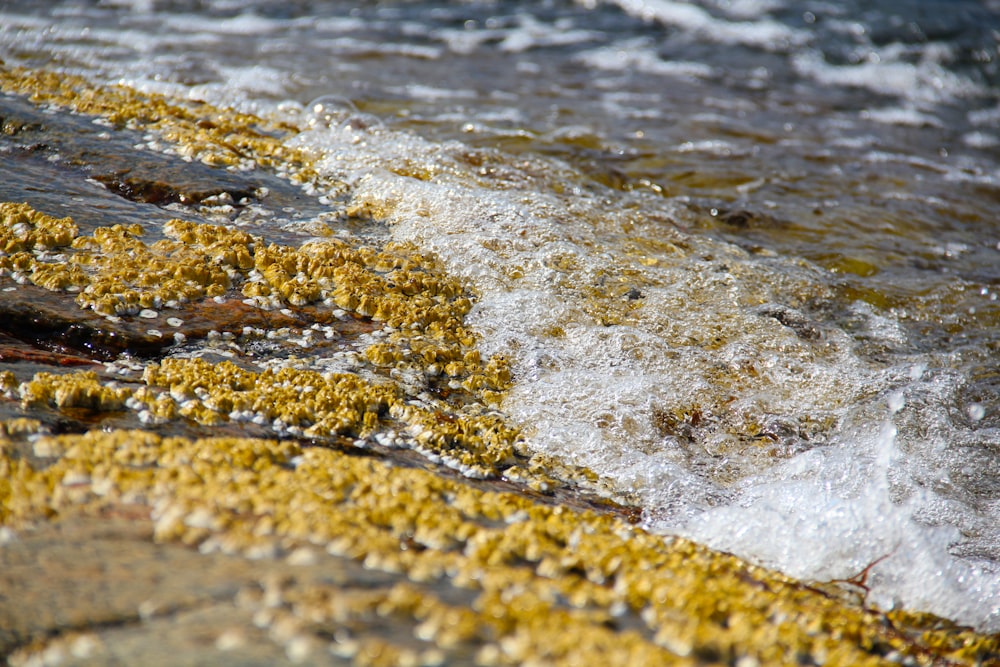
(420, 309)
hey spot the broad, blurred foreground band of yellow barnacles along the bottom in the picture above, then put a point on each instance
(547, 583)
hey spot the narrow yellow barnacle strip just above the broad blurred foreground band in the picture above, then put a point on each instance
(291, 401)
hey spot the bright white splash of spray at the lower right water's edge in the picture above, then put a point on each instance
(829, 514)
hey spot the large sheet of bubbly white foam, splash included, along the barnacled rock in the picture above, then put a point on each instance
(814, 498)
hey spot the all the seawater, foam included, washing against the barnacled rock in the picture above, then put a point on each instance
(743, 254)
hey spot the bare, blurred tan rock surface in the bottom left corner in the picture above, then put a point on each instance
(100, 590)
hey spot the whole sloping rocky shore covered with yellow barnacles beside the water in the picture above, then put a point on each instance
(217, 446)
